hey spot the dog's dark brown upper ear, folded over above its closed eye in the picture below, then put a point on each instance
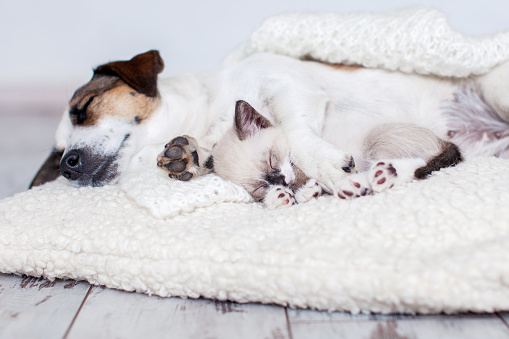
(140, 72)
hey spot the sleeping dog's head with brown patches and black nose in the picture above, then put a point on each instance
(106, 122)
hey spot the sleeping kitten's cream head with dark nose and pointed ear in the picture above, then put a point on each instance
(254, 153)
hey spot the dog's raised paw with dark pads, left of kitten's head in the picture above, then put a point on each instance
(183, 159)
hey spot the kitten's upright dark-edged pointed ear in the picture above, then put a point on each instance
(248, 121)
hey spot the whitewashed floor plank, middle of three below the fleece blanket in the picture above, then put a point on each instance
(109, 313)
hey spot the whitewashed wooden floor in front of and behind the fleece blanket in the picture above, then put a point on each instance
(37, 308)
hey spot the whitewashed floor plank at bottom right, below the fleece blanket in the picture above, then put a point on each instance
(309, 324)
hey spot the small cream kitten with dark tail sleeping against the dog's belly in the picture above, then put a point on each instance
(254, 153)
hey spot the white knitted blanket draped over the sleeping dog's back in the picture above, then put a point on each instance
(411, 40)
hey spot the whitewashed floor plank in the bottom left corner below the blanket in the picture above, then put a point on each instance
(38, 308)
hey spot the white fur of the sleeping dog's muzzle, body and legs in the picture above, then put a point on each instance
(295, 95)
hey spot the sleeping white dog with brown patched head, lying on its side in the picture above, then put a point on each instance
(119, 121)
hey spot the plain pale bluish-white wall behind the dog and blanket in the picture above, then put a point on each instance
(56, 43)
